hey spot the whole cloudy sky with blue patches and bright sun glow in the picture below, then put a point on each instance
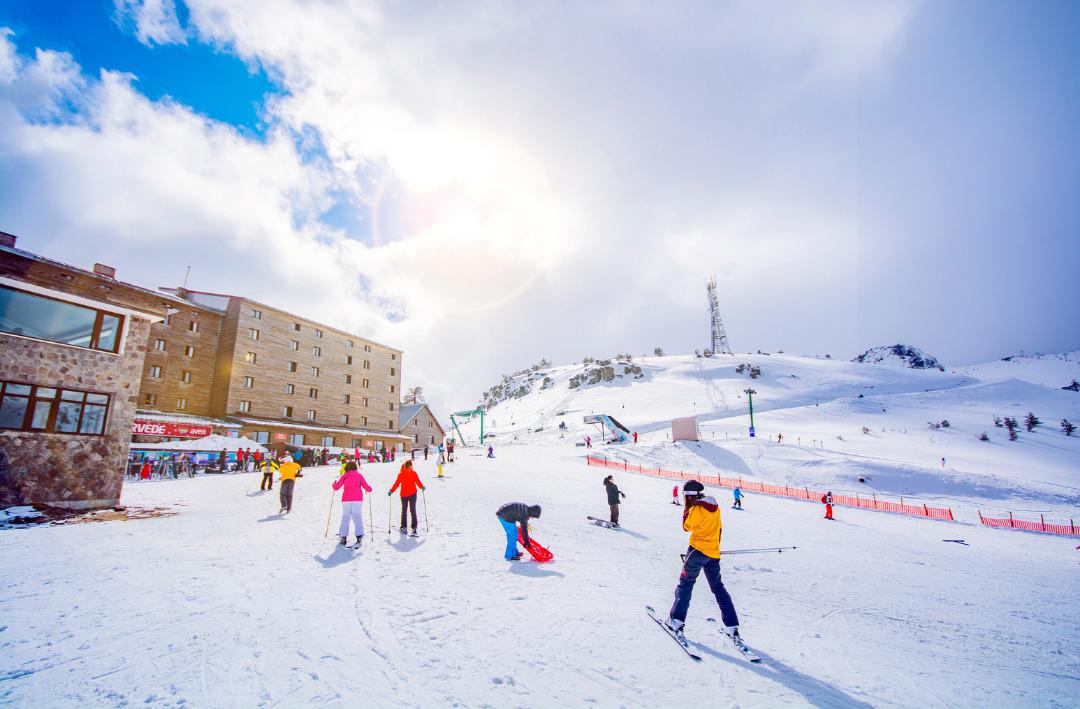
(485, 184)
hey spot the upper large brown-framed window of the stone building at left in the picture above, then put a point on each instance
(43, 318)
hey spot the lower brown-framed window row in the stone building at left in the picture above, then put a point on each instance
(30, 408)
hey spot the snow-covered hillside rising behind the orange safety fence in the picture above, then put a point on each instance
(841, 422)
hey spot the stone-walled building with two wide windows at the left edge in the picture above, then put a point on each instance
(73, 345)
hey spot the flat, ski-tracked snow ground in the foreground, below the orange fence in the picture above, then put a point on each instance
(227, 605)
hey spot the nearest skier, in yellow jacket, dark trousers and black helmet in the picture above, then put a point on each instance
(703, 519)
